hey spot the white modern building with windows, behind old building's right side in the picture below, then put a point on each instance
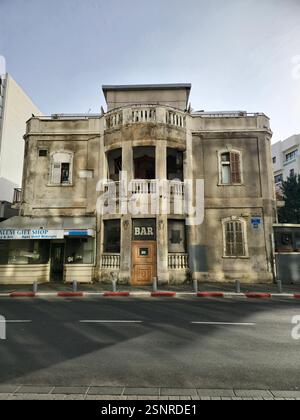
(286, 159)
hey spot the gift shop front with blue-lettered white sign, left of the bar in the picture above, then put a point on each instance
(44, 250)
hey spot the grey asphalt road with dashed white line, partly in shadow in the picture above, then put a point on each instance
(184, 342)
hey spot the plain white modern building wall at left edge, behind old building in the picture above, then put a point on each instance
(15, 109)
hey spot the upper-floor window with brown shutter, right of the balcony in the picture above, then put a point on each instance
(230, 168)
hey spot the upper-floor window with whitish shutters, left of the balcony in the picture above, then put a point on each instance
(61, 168)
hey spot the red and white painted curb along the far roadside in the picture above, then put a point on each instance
(203, 295)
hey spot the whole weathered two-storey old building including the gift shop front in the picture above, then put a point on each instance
(85, 211)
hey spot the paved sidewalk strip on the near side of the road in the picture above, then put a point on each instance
(132, 394)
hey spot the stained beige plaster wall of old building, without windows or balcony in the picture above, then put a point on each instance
(201, 139)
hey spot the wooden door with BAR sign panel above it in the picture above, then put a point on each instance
(144, 252)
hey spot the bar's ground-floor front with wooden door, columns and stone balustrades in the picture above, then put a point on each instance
(141, 249)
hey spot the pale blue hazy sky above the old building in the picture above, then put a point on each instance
(238, 54)
